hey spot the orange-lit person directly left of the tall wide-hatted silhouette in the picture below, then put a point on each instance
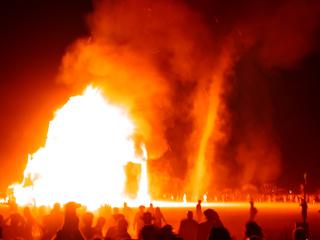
(52, 223)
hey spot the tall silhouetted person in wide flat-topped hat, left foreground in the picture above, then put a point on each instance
(70, 229)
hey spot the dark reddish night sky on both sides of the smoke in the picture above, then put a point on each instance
(35, 35)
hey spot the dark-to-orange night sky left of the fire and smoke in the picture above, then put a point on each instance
(35, 35)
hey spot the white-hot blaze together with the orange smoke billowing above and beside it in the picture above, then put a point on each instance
(192, 87)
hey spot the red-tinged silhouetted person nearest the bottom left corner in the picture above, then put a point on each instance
(17, 229)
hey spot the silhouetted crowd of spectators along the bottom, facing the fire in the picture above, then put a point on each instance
(111, 224)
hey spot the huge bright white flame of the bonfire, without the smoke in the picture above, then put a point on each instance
(88, 144)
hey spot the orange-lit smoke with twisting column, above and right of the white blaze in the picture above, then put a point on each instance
(193, 82)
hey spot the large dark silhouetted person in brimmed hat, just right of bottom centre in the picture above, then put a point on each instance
(204, 228)
